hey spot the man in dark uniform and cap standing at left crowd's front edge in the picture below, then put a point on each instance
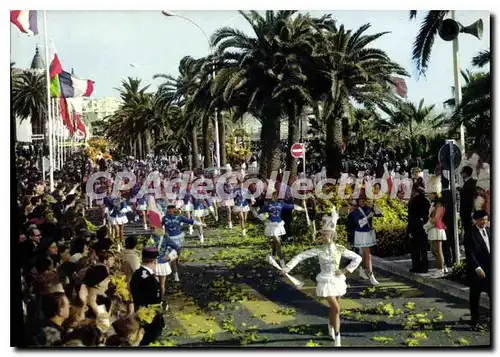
(145, 289)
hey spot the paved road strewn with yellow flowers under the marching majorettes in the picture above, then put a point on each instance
(229, 296)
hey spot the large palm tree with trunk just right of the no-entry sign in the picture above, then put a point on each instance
(347, 71)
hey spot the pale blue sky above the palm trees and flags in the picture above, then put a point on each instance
(101, 45)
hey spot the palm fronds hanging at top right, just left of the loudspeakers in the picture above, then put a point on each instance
(422, 47)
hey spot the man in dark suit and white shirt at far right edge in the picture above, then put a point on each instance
(478, 257)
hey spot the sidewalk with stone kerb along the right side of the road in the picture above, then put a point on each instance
(401, 266)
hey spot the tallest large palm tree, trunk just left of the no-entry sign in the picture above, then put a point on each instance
(266, 71)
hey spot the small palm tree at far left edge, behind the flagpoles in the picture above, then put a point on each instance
(29, 99)
